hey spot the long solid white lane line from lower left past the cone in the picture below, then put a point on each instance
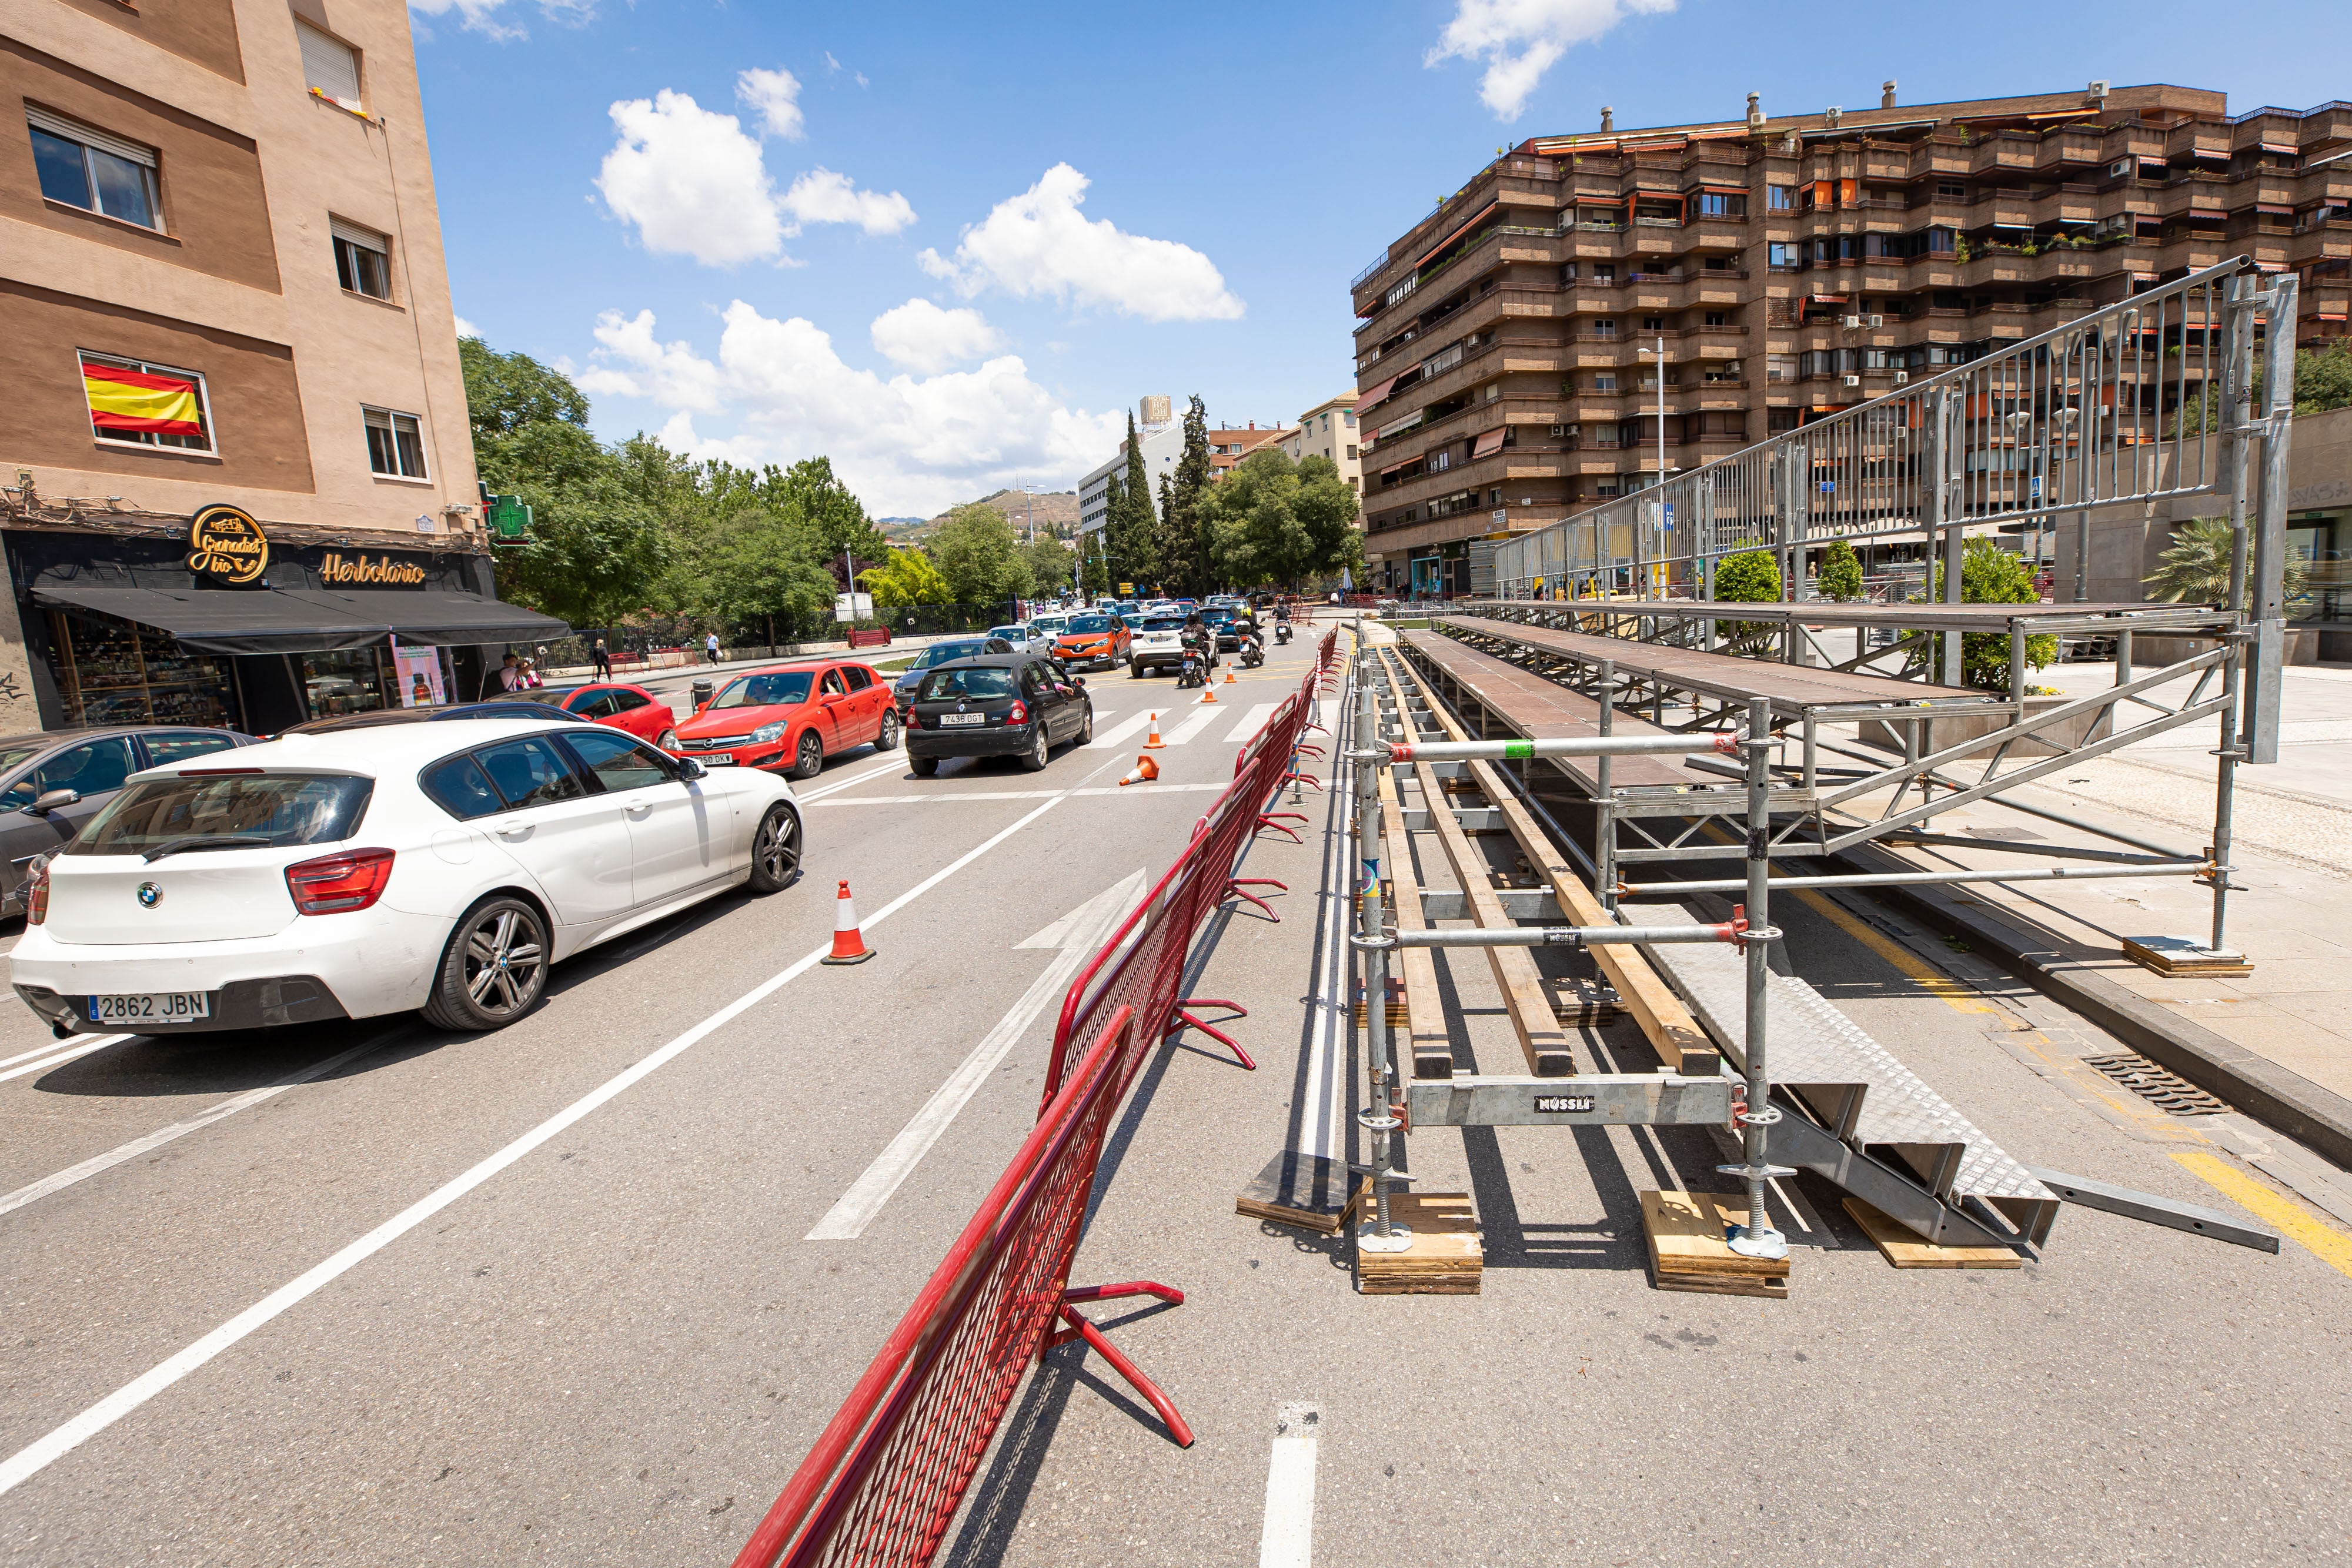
(65, 1440)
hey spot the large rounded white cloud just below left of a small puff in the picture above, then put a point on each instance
(693, 182)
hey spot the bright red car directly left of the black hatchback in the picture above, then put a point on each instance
(791, 718)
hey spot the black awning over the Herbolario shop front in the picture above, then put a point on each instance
(307, 619)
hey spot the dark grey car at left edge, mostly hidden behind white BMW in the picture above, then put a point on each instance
(53, 784)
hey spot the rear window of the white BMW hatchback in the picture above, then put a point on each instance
(258, 810)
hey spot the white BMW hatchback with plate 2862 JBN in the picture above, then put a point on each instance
(377, 871)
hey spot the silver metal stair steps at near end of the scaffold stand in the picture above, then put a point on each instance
(1859, 1097)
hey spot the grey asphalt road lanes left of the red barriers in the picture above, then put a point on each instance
(547, 1294)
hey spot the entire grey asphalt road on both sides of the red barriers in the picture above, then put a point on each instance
(552, 1296)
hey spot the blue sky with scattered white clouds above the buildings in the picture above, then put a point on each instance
(949, 246)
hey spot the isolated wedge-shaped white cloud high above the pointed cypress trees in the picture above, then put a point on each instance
(1038, 243)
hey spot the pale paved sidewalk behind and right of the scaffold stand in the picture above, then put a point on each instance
(2292, 850)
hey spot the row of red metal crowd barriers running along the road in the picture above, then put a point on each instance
(890, 1470)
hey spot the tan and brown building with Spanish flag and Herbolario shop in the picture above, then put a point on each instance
(239, 464)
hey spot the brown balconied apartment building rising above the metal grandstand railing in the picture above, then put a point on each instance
(1793, 267)
